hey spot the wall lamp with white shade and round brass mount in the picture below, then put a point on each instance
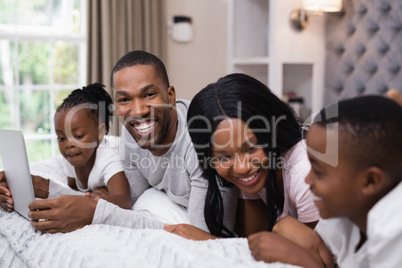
(299, 17)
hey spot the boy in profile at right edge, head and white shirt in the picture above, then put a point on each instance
(357, 185)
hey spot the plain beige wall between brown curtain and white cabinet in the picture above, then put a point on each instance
(191, 66)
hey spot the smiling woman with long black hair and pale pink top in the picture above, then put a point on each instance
(248, 140)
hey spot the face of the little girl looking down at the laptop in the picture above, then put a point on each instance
(78, 135)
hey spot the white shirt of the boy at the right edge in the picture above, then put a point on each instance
(383, 247)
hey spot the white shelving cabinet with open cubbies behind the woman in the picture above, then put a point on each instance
(261, 43)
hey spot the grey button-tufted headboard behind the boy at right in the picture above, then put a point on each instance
(364, 49)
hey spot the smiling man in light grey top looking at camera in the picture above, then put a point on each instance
(157, 154)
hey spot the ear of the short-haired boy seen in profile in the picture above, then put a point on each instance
(374, 182)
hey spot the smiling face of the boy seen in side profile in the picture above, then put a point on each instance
(337, 190)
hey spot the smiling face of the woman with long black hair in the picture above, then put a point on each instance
(237, 157)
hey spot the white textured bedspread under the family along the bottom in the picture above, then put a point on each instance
(111, 246)
